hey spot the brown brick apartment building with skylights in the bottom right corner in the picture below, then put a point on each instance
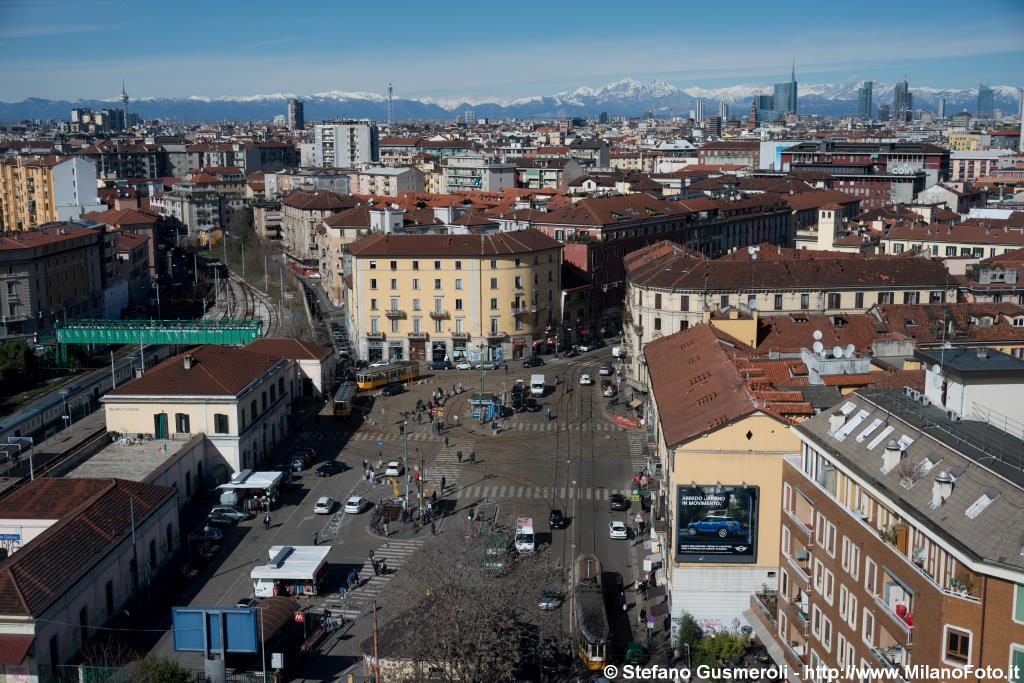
(899, 546)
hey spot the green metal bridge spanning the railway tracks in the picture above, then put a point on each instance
(186, 333)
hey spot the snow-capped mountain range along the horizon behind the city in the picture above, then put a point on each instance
(625, 98)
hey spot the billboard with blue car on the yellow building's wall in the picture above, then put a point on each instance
(716, 524)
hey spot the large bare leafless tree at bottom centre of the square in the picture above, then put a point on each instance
(473, 624)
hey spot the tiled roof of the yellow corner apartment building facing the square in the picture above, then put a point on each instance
(517, 242)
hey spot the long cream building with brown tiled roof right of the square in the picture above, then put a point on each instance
(670, 289)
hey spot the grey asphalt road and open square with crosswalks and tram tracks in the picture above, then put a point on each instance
(531, 465)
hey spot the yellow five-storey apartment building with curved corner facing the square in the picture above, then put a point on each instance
(452, 297)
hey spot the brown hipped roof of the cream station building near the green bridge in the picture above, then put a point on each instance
(217, 371)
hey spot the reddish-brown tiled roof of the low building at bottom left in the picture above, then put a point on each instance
(94, 516)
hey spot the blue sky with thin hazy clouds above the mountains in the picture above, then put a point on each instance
(64, 50)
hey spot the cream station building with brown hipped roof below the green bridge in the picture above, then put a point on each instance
(240, 400)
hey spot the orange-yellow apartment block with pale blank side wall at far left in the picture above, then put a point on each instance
(35, 191)
